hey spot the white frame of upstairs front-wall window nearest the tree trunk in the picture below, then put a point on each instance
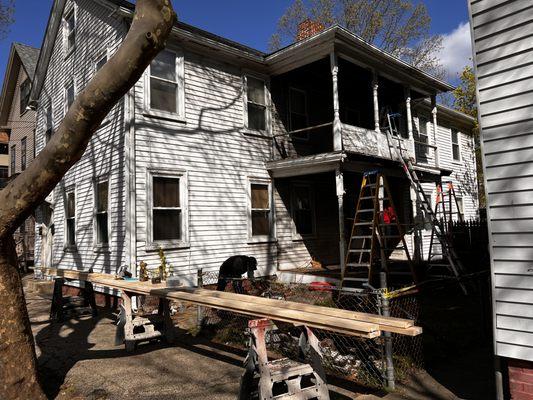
(180, 76)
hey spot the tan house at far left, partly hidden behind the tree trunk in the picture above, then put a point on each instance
(18, 121)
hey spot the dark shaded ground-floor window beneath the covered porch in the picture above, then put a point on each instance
(303, 212)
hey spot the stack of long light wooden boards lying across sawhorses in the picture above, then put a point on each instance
(326, 318)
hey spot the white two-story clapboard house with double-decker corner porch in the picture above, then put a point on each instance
(221, 149)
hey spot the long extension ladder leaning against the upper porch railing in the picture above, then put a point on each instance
(450, 260)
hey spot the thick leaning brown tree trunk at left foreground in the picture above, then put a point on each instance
(147, 36)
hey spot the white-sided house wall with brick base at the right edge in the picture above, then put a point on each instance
(501, 34)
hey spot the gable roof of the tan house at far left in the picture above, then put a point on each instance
(23, 56)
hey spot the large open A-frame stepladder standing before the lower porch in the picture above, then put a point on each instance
(376, 233)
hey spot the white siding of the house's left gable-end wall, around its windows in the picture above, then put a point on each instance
(104, 156)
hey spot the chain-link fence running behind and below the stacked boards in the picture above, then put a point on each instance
(360, 360)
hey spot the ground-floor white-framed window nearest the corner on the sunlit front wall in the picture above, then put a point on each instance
(168, 207)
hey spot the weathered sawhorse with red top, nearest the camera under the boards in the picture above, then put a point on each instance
(282, 379)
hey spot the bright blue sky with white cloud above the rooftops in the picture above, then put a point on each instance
(248, 22)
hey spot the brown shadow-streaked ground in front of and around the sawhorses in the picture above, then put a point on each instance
(79, 361)
